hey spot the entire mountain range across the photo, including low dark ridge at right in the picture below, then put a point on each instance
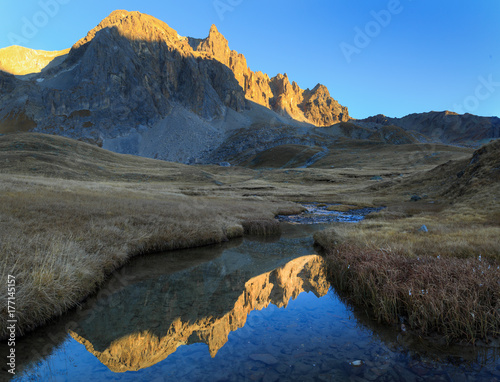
(133, 85)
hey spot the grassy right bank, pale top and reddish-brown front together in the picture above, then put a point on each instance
(385, 266)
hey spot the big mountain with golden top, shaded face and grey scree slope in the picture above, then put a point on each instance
(132, 74)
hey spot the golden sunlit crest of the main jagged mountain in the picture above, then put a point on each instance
(279, 93)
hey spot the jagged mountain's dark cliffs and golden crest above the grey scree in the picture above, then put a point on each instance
(143, 46)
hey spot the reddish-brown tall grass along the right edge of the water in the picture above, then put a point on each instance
(457, 298)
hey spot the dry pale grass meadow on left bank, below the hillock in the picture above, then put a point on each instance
(60, 238)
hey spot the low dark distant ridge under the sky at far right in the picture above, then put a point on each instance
(446, 127)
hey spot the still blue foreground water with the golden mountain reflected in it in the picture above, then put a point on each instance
(248, 310)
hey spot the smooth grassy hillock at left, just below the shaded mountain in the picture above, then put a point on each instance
(49, 156)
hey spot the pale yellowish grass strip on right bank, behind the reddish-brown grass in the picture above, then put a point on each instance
(455, 235)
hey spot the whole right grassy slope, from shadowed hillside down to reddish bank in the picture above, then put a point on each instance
(446, 280)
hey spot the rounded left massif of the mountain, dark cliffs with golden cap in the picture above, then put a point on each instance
(129, 71)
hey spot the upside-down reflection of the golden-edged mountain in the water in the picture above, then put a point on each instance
(146, 322)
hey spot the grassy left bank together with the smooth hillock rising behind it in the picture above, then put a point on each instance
(71, 213)
